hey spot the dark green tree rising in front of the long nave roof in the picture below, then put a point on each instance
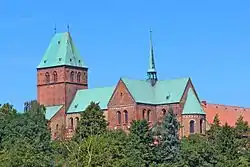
(92, 122)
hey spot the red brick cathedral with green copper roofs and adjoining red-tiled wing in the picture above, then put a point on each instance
(62, 87)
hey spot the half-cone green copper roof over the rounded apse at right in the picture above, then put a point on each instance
(192, 105)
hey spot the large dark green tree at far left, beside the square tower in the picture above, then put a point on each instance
(27, 140)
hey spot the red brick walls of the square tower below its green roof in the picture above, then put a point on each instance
(62, 91)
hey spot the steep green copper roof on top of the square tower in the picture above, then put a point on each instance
(61, 51)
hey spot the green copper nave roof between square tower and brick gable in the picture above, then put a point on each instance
(83, 98)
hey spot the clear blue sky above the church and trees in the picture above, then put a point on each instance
(208, 41)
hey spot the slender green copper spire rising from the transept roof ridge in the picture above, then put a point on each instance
(152, 74)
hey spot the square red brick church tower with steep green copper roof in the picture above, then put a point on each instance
(61, 72)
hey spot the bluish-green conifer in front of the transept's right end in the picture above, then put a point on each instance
(168, 149)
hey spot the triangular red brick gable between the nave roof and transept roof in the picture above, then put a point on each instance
(121, 95)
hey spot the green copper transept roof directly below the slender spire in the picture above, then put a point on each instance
(163, 92)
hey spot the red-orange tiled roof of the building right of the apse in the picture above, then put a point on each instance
(226, 113)
